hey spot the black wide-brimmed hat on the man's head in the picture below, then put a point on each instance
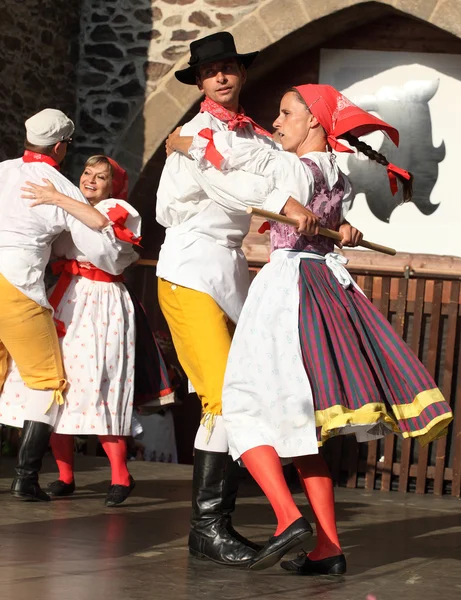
(212, 48)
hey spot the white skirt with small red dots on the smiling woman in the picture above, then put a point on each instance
(98, 351)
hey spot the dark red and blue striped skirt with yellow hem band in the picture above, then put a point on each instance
(361, 372)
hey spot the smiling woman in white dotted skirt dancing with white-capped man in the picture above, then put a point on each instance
(96, 319)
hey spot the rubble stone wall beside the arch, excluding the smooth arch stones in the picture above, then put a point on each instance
(127, 46)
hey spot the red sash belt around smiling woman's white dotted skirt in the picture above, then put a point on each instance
(68, 269)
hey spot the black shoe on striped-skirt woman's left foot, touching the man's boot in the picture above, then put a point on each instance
(278, 545)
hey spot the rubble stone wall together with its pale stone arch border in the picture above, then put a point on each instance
(128, 97)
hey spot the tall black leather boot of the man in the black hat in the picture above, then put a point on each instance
(211, 536)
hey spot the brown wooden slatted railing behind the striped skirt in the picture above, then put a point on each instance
(424, 307)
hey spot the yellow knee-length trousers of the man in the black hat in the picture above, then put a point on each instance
(202, 338)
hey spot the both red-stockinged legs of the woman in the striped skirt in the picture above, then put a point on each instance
(264, 465)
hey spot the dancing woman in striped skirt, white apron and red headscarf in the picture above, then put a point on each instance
(311, 357)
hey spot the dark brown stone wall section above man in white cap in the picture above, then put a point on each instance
(38, 57)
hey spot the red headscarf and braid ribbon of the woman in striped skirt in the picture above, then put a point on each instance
(338, 115)
